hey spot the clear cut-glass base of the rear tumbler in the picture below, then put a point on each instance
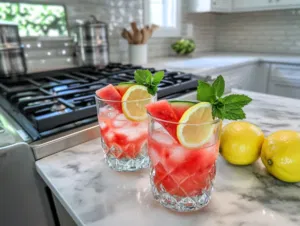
(141, 161)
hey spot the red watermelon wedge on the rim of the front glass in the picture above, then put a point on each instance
(163, 110)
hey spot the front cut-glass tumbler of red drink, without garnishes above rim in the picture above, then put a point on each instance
(182, 178)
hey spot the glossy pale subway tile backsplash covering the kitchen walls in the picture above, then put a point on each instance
(274, 31)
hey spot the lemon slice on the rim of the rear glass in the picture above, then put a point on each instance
(134, 101)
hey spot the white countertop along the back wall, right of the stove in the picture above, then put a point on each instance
(216, 62)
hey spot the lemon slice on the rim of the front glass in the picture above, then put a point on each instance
(195, 126)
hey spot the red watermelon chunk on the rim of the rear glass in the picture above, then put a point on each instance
(110, 96)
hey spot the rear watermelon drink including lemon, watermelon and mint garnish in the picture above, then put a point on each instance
(123, 122)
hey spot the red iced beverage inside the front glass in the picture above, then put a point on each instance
(178, 170)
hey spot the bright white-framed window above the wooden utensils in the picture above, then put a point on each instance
(166, 14)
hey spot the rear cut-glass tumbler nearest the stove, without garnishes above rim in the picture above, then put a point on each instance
(123, 141)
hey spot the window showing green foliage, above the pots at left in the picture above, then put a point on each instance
(35, 19)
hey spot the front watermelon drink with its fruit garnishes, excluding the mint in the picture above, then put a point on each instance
(183, 145)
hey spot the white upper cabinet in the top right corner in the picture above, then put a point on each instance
(260, 5)
